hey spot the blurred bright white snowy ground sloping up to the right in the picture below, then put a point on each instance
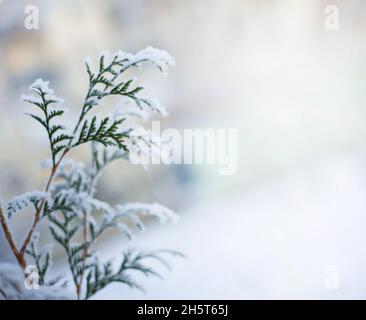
(298, 236)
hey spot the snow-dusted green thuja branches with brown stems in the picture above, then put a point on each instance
(76, 219)
